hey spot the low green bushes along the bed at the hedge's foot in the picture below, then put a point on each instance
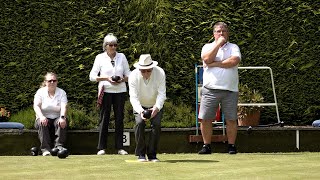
(179, 116)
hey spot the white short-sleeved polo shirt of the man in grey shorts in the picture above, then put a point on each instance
(222, 78)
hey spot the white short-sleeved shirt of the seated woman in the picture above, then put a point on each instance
(50, 107)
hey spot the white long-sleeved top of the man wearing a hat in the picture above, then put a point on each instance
(152, 93)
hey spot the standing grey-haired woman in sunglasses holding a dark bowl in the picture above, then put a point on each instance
(112, 92)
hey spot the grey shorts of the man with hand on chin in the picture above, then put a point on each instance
(210, 100)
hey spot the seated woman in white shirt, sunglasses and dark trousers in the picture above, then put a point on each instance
(50, 104)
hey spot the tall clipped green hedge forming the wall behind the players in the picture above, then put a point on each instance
(65, 36)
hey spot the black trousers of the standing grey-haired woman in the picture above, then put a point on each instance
(117, 101)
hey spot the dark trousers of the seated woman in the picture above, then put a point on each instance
(51, 135)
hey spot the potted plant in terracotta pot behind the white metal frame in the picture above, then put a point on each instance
(249, 115)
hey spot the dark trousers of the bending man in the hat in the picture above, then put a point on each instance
(150, 147)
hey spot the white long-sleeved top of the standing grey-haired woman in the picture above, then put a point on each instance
(102, 64)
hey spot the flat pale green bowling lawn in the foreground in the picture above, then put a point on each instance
(304, 165)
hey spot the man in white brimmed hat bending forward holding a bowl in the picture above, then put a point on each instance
(147, 90)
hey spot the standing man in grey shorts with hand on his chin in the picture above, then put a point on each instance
(220, 86)
